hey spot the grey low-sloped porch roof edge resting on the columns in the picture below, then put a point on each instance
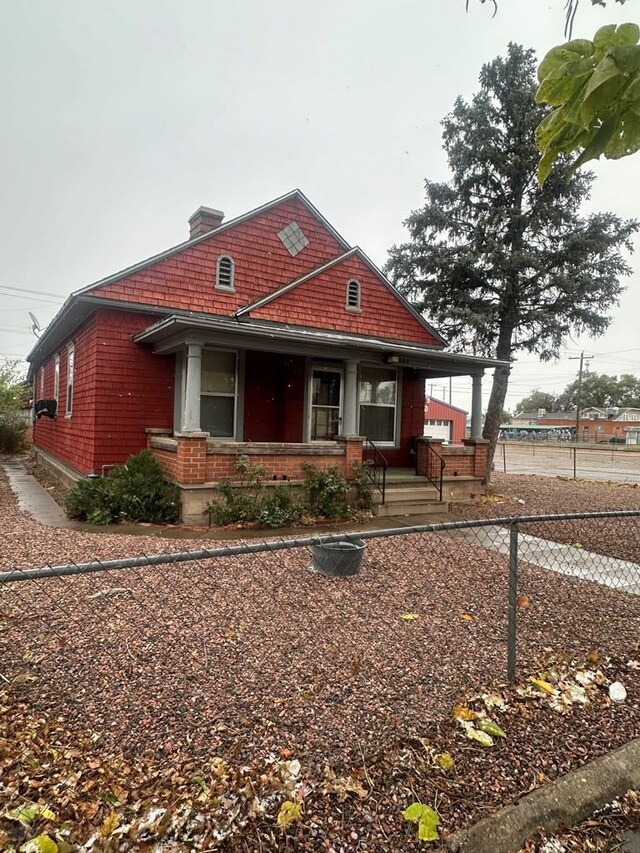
(173, 331)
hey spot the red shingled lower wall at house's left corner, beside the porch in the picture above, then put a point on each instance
(119, 389)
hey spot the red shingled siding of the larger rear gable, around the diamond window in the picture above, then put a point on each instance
(262, 264)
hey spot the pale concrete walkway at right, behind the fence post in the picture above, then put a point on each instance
(565, 559)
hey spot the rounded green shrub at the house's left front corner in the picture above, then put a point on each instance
(135, 491)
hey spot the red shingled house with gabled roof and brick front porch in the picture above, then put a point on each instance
(267, 335)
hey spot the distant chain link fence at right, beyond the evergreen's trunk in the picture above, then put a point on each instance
(587, 462)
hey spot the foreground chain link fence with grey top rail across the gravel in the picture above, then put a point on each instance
(263, 647)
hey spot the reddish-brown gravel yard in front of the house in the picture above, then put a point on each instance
(259, 661)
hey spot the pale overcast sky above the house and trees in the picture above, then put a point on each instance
(121, 118)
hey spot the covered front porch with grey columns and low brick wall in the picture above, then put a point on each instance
(284, 397)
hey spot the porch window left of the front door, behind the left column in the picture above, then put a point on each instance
(219, 393)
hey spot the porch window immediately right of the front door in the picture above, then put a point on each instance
(378, 399)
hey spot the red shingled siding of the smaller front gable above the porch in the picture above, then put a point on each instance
(320, 302)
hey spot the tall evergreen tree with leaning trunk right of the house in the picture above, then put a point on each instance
(499, 263)
